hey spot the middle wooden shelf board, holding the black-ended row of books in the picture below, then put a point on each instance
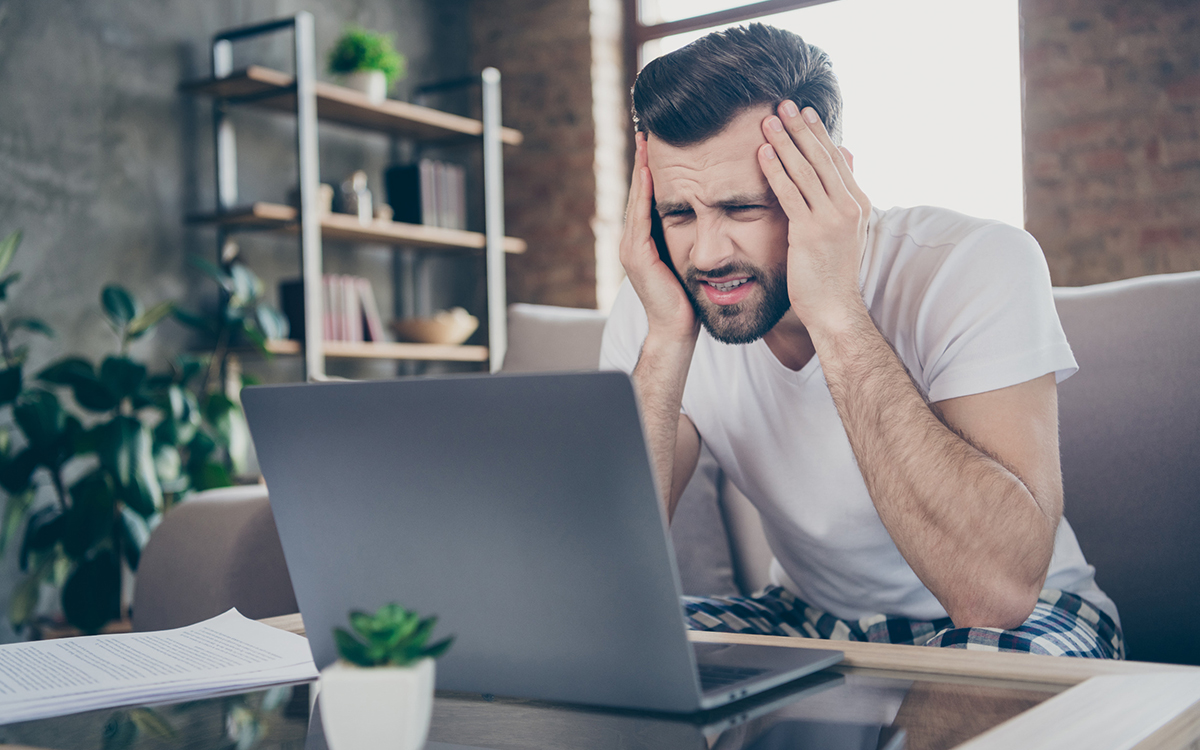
(278, 218)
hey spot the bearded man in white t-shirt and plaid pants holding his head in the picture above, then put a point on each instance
(881, 385)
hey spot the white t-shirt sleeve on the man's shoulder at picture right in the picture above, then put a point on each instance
(987, 320)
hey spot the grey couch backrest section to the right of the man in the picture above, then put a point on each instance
(1131, 453)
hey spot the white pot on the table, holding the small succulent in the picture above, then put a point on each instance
(376, 707)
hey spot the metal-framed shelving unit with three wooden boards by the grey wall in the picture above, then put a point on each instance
(310, 101)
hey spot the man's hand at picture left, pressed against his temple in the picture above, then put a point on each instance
(668, 308)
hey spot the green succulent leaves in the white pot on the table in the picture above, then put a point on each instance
(393, 637)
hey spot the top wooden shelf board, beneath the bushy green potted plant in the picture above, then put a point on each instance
(274, 91)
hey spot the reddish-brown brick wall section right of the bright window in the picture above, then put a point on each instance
(1113, 136)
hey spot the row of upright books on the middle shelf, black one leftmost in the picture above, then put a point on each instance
(429, 193)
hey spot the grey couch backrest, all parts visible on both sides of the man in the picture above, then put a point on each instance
(1131, 453)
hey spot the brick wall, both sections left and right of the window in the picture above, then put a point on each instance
(1112, 140)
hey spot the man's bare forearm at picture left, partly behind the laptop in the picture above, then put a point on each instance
(659, 381)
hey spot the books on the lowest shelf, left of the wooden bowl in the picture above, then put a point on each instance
(352, 313)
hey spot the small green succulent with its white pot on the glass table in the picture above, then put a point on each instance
(380, 694)
